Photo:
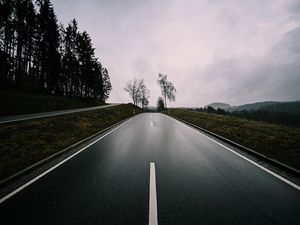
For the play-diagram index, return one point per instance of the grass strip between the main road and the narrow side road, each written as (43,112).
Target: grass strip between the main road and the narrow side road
(27,142)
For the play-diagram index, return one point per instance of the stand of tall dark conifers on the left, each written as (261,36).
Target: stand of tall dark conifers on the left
(38,56)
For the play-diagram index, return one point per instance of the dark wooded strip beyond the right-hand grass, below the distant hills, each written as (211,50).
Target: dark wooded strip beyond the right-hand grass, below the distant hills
(278,117)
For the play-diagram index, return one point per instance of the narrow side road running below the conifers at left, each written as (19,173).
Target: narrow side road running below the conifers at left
(10,119)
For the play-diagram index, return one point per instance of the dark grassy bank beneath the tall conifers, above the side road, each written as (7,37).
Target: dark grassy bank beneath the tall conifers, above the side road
(14,103)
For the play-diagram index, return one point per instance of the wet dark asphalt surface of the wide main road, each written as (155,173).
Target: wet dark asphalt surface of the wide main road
(197,182)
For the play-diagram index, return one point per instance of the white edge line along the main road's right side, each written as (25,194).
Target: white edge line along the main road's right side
(249,160)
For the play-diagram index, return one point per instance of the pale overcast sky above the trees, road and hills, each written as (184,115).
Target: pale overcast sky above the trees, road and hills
(229,51)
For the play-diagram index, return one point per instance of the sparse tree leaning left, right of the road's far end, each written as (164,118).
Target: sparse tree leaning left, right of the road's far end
(167,88)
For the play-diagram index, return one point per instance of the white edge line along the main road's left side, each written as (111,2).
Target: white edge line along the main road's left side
(57,165)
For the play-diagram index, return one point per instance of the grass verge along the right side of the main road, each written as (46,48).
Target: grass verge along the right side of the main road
(281,143)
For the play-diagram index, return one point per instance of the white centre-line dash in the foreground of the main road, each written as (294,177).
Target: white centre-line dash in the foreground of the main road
(152,197)
